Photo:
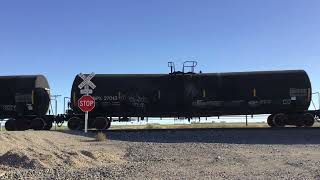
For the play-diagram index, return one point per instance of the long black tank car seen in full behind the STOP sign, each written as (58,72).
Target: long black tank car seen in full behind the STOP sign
(286,95)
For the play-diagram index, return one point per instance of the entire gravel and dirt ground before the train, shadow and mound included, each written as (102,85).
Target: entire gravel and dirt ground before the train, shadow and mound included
(187,154)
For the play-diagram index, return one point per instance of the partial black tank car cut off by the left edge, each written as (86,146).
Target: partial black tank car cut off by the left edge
(24,102)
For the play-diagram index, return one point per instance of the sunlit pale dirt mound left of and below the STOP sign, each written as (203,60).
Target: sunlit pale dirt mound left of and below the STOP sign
(31,150)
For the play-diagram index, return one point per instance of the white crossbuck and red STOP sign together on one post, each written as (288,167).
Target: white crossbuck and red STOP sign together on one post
(86,103)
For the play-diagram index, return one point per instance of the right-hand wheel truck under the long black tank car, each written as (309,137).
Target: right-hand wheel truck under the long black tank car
(304,119)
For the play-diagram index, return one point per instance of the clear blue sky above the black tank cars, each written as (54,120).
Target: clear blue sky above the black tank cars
(62,38)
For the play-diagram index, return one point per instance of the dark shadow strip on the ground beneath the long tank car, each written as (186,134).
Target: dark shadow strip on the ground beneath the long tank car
(221,135)
